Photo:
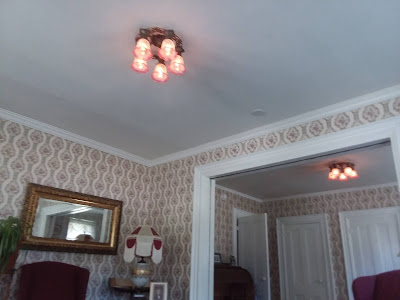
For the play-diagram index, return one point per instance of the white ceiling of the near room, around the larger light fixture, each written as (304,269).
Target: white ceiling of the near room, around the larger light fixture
(67,63)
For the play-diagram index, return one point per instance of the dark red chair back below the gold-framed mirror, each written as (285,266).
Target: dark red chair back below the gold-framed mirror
(53,280)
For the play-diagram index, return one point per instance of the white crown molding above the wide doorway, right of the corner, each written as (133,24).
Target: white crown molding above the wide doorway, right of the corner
(343,106)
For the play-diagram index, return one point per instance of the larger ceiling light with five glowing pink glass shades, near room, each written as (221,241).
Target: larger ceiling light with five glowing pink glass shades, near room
(160,44)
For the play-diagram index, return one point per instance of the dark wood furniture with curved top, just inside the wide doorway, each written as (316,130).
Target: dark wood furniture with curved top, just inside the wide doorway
(232,283)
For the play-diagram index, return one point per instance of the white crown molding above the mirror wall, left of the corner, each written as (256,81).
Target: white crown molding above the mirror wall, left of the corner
(20,119)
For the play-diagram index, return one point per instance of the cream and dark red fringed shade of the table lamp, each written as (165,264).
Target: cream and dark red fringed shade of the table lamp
(144,241)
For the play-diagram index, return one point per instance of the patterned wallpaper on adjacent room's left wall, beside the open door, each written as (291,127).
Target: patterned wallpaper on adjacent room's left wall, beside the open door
(223,219)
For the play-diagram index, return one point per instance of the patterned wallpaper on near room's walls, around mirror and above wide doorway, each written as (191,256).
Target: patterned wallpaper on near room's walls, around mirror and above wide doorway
(159,196)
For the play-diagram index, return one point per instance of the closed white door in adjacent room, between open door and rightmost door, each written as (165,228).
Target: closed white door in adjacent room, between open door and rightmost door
(304,258)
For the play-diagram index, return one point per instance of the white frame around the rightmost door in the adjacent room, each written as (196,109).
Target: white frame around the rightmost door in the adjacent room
(343,217)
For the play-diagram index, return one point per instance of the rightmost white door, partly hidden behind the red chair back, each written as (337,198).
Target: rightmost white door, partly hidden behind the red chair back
(371,242)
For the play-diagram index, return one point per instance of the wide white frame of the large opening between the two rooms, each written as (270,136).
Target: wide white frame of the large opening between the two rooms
(202,254)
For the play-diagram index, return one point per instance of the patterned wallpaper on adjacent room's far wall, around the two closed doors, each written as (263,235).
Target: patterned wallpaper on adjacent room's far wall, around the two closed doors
(331,204)
